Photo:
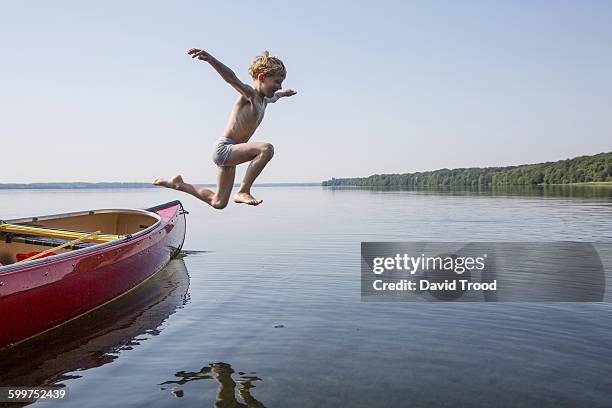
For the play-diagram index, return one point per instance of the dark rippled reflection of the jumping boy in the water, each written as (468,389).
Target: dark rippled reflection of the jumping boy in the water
(226,389)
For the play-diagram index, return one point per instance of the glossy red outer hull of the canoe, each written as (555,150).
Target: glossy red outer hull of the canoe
(36,298)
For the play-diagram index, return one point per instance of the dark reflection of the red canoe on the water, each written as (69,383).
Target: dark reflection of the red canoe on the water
(100,336)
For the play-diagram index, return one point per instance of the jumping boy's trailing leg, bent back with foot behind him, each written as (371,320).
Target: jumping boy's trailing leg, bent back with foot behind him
(225,182)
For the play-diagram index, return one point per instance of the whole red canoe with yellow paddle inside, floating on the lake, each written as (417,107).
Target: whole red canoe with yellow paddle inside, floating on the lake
(84,270)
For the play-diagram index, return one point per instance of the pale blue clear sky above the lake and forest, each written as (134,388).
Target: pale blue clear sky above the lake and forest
(103,91)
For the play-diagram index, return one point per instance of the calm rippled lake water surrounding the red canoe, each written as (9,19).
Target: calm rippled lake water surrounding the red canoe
(264,309)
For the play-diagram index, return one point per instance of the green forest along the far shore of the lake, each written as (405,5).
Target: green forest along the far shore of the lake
(582,169)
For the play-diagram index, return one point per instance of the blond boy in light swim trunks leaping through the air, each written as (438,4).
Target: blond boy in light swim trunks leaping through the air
(234,147)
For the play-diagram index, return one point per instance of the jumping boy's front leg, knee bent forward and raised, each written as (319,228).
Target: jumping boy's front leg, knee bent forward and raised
(259,154)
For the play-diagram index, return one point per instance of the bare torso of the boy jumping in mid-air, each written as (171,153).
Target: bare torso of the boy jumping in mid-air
(245,118)
